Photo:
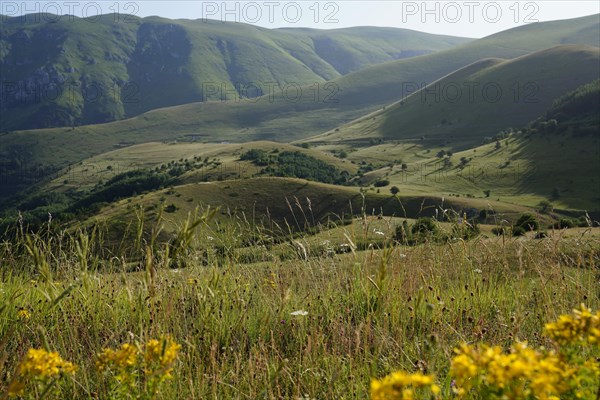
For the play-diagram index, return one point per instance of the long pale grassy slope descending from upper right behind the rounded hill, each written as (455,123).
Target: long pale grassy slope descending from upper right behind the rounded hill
(281,119)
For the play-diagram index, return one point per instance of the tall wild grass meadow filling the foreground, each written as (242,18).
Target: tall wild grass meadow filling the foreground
(308,325)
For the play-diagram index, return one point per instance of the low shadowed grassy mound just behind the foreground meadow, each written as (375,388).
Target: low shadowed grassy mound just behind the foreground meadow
(273,201)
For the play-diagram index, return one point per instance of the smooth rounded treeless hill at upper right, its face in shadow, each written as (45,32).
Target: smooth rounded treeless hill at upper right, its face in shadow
(481,99)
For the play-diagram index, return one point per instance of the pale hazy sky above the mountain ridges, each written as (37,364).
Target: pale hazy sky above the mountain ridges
(457,18)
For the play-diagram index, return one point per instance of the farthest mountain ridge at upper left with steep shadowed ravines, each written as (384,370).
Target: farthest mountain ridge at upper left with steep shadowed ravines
(74,71)
